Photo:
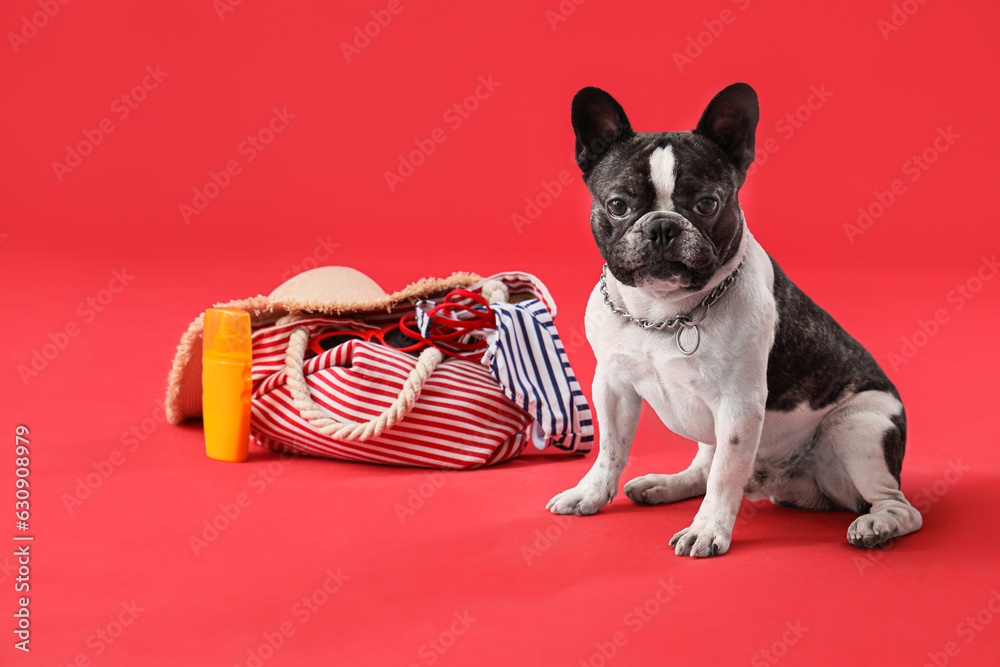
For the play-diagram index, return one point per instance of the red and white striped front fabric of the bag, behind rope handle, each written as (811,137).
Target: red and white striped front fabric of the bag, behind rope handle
(461,420)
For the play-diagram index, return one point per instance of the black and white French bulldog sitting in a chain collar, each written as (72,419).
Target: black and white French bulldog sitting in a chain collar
(694,317)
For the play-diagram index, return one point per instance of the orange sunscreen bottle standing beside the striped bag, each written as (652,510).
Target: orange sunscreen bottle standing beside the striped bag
(225,383)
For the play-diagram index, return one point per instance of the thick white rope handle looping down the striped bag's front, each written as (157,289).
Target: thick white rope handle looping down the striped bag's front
(360,431)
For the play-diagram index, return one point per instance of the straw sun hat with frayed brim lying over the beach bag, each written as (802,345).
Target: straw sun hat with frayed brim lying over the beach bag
(328,290)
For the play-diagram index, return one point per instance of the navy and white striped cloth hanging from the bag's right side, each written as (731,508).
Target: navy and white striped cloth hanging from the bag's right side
(528,359)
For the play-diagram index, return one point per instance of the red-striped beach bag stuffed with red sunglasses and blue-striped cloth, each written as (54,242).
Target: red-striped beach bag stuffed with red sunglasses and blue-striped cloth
(500,382)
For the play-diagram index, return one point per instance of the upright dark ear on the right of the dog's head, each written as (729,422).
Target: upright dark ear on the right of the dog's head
(730,120)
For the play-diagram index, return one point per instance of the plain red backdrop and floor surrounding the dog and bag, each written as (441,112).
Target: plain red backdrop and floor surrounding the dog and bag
(318,192)
